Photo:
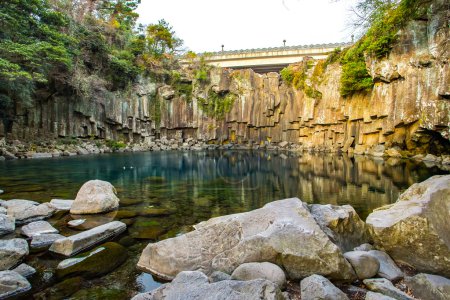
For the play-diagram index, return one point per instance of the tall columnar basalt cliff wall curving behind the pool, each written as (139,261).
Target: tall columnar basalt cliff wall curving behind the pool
(409,106)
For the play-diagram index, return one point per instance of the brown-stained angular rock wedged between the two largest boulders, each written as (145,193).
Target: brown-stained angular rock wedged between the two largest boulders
(342,225)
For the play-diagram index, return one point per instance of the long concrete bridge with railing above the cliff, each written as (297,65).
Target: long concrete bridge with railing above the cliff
(270,59)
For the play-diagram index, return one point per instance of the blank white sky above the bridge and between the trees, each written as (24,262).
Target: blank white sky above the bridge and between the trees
(205,25)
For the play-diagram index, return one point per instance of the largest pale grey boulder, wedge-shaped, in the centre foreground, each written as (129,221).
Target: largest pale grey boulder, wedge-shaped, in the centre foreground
(282,232)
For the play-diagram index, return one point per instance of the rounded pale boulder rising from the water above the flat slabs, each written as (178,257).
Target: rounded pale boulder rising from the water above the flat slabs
(95,196)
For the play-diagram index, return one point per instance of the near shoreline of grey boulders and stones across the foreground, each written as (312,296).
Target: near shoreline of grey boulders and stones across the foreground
(284,250)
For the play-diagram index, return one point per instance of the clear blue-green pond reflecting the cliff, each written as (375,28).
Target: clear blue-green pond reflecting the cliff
(163,193)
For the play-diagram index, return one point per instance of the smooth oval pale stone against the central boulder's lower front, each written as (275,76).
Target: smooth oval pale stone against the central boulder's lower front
(263,270)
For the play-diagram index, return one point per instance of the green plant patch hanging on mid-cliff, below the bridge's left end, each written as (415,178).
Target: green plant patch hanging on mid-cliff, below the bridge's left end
(218,104)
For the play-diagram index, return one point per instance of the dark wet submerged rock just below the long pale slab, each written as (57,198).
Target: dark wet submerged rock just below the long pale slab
(94,263)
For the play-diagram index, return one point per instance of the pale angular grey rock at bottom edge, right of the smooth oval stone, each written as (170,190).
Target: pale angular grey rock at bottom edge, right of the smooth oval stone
(318,287)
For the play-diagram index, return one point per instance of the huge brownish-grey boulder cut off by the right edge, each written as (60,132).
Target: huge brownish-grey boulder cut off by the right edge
(415,229)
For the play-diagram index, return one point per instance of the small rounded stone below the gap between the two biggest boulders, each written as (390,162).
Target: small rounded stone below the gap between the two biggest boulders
(364,264)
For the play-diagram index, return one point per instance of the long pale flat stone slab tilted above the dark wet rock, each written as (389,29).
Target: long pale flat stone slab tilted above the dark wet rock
(76,243)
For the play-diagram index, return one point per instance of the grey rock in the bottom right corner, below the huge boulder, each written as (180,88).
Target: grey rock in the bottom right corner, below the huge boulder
(427,286)
